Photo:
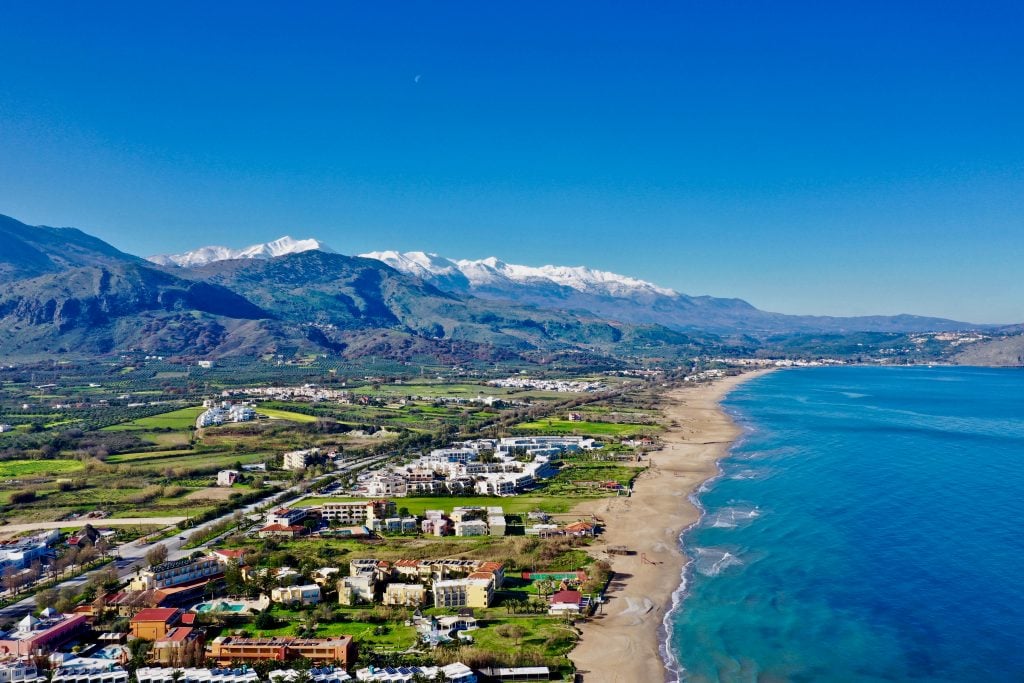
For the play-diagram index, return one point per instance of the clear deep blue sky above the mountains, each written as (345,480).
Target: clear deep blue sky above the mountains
(819,158)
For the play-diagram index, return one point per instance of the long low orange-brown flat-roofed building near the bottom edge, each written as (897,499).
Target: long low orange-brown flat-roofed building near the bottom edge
(229,650)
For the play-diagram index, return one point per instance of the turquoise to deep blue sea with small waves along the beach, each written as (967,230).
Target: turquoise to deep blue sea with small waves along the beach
(868,527)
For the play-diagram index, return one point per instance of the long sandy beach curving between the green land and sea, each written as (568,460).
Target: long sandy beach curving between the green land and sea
(626,642)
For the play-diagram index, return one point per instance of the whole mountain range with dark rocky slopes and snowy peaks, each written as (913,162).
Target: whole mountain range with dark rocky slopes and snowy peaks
(63,291)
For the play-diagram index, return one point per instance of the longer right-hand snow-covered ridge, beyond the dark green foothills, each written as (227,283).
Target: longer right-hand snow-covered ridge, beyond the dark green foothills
(494,275)
